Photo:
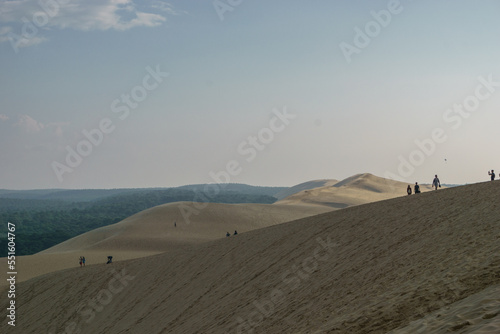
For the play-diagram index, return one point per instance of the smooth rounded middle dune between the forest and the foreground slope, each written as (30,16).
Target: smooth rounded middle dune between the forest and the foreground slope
(152,232)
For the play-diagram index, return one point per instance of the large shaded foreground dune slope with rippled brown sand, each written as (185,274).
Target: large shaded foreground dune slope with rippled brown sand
(366,269)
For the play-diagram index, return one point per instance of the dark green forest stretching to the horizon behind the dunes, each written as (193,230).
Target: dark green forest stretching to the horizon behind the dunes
(43,223)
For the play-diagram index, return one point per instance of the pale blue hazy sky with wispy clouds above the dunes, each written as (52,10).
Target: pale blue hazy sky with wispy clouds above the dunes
(125,94)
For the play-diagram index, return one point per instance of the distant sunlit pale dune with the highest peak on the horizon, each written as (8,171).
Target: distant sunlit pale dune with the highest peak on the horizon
(355,190)
